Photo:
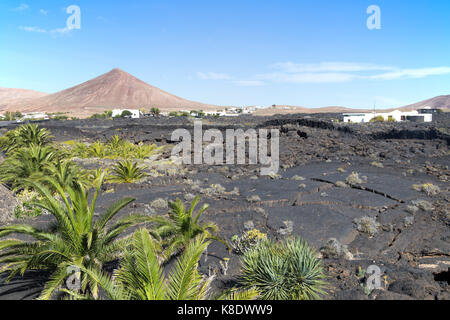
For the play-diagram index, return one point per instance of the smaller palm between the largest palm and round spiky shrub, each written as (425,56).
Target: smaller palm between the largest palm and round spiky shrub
(181,226)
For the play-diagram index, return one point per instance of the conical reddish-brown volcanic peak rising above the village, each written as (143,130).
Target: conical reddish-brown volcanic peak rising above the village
(115,89)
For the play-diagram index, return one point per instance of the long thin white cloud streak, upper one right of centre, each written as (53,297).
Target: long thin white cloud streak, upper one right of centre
(290,67)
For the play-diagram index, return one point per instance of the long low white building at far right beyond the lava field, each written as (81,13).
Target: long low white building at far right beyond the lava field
(396,115)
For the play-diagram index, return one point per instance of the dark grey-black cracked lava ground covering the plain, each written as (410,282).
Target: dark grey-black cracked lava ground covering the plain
(411,242)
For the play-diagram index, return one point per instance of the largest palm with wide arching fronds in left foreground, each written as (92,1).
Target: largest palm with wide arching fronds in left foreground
(75,240)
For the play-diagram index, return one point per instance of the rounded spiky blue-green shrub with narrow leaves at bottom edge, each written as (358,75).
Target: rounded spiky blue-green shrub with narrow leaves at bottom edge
(287,270)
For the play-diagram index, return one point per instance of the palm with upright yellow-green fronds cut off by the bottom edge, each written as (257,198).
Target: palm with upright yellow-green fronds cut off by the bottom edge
(141,276)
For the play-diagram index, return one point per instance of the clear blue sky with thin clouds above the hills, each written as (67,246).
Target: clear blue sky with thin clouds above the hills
(235,52)
